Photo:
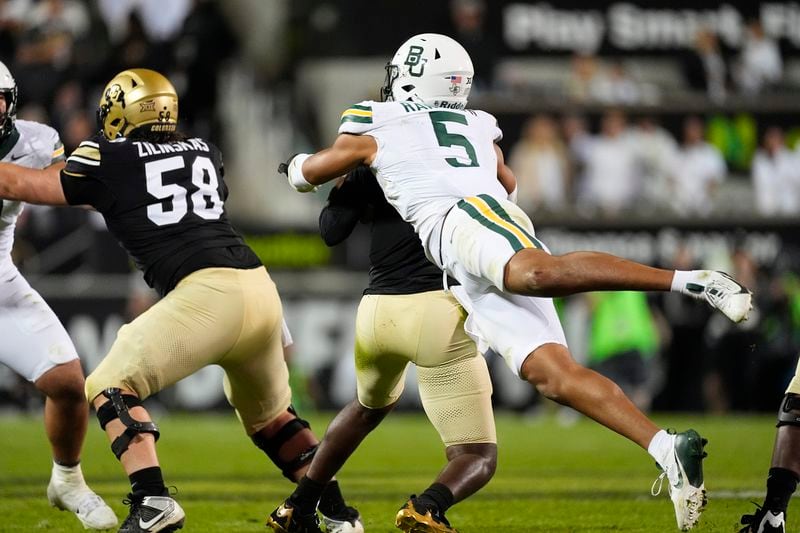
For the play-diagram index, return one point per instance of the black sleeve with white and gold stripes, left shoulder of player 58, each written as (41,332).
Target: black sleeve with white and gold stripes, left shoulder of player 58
(80,178)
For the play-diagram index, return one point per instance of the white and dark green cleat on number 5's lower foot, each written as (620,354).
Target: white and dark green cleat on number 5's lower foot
(683,468)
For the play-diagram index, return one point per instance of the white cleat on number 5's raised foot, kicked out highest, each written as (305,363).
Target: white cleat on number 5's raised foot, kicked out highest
(722,292)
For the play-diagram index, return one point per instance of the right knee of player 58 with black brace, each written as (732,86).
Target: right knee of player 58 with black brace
(298,455)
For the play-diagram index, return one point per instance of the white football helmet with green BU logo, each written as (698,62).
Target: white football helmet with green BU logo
(429,68)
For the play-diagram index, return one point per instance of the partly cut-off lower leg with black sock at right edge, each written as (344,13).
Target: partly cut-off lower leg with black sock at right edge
(784,472)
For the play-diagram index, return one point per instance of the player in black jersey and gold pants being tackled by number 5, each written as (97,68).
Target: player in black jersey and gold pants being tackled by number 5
(404,317)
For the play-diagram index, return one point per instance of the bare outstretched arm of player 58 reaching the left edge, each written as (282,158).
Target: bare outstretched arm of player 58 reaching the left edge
(32,185)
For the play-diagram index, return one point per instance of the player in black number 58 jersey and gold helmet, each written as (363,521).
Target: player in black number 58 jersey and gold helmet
(162,196)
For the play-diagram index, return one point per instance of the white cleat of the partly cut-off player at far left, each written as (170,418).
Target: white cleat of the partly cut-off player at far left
(75,496)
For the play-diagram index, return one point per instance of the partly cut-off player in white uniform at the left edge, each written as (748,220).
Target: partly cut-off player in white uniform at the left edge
(34,343)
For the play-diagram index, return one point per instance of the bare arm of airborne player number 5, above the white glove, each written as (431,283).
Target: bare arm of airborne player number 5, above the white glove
(347,152)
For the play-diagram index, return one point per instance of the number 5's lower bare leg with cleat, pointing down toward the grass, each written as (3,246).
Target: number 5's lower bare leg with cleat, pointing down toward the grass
(556,375)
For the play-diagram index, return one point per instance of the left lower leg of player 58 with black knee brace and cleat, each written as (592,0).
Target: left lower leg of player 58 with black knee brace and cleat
(133,438)
